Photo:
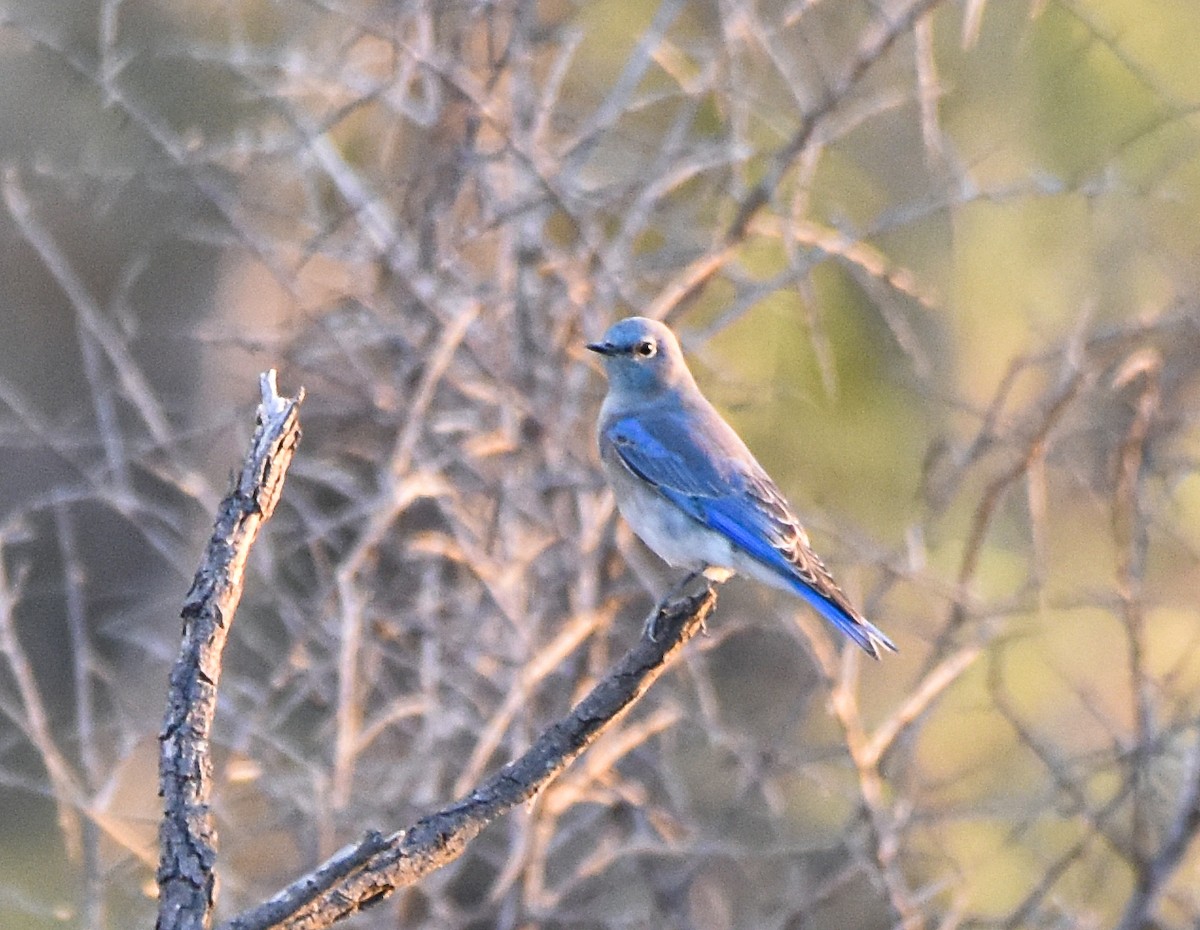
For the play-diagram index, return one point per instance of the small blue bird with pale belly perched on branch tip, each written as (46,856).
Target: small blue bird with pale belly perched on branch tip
(689,487)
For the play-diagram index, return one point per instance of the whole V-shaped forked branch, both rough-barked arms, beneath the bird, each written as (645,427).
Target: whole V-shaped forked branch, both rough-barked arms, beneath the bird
(367,872)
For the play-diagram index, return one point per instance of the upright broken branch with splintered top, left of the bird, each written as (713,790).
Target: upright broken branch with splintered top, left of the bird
(188,837)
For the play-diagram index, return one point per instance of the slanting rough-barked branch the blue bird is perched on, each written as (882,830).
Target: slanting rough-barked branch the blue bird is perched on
(367,873)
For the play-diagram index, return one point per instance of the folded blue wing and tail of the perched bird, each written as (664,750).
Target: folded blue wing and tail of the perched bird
(705,470)
